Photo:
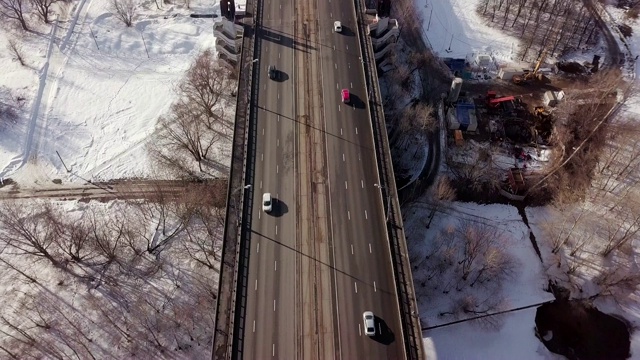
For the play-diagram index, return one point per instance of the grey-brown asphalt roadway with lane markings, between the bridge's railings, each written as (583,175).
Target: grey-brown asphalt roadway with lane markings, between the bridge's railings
(321,258)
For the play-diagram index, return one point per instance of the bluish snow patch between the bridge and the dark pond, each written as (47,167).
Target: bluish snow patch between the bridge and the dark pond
(509,335)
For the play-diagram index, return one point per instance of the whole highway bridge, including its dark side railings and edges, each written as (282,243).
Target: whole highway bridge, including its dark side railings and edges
(296,281)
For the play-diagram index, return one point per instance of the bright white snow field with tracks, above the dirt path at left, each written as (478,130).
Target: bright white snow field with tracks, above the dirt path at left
(94,99)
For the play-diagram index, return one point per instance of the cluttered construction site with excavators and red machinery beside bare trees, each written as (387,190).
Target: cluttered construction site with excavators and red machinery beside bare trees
(501,123)
